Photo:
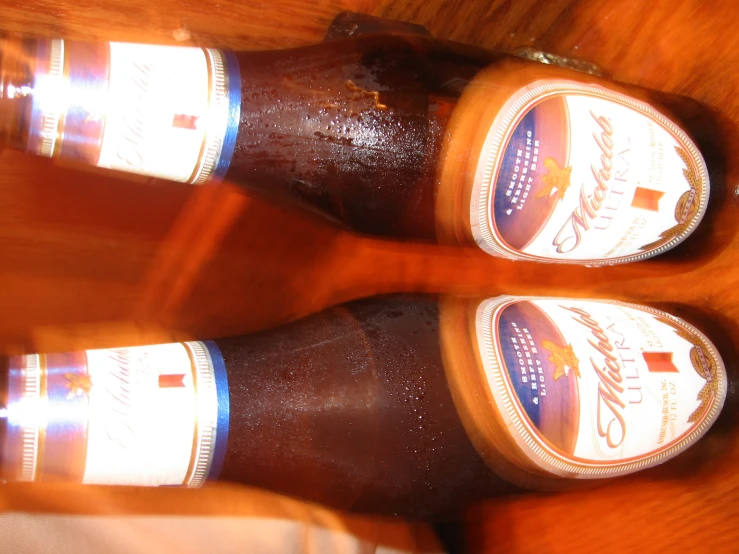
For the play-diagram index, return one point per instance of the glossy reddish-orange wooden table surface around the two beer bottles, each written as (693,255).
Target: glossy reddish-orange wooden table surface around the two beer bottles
(89,260)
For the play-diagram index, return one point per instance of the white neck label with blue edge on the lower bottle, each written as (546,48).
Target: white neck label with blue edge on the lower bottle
(150,416)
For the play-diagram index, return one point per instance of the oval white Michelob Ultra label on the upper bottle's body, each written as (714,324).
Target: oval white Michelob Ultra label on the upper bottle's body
(573,173)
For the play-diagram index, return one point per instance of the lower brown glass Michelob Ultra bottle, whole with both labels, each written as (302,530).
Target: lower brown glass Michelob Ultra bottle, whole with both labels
(404,405)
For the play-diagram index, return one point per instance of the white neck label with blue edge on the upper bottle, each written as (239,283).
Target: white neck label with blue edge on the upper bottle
(164,111)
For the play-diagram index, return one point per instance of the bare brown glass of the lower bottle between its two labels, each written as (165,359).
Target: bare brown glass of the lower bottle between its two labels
(360,414)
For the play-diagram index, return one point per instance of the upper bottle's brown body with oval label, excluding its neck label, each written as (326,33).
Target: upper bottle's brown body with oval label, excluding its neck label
(408,136)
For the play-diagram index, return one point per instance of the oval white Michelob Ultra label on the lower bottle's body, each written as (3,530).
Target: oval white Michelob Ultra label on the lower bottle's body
(594,389)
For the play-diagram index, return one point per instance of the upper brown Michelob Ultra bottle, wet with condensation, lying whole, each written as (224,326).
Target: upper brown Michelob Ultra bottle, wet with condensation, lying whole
(389,131)
